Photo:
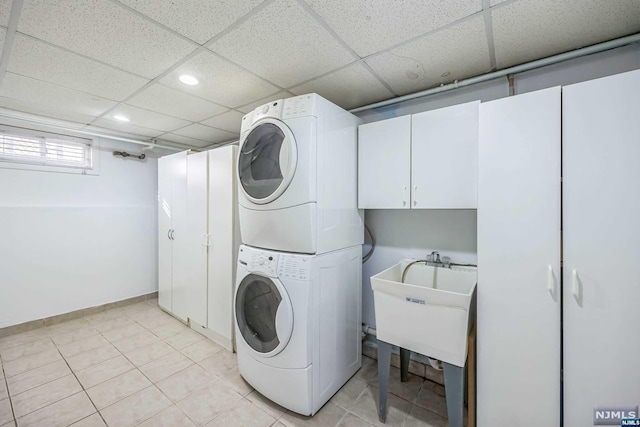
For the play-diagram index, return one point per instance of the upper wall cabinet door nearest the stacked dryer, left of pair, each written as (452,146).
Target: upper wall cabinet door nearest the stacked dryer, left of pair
(384,174)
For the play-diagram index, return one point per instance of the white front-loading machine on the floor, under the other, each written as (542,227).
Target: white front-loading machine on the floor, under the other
(298,322)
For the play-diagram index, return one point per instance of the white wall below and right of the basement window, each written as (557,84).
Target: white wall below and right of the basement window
(70,241)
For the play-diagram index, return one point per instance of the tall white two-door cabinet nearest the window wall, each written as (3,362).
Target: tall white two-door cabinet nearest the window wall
(172,220)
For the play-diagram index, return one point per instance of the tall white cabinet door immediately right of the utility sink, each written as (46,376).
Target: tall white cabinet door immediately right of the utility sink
(518,311)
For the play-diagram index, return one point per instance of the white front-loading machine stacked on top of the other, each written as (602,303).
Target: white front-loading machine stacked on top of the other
(297,177)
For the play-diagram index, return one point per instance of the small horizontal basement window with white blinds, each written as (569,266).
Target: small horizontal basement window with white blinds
(31,149)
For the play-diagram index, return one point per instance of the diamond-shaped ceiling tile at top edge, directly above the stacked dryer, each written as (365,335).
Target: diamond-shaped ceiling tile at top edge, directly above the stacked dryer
(283,44)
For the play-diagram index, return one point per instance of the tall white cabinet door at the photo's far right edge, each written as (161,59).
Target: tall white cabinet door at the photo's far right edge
(601,207)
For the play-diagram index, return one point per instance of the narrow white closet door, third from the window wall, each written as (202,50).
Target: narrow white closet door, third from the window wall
(197,236)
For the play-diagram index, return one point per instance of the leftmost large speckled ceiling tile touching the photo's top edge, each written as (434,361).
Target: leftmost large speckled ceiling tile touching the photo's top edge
(105,31)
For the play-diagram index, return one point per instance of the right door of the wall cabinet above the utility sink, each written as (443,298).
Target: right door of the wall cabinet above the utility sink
(444,158)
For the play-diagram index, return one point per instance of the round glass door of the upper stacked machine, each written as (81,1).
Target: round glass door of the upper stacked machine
(267,161)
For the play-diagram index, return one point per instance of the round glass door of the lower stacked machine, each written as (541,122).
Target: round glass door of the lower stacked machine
(264,314)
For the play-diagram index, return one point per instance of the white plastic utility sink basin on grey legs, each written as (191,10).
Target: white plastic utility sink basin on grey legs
(430,312)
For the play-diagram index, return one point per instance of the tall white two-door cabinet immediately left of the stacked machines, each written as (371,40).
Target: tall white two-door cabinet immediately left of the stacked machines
(213,240)
